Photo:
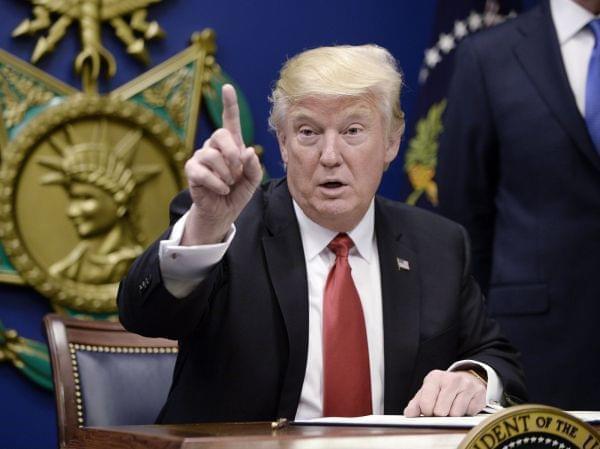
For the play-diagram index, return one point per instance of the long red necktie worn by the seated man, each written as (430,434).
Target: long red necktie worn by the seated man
(346,375)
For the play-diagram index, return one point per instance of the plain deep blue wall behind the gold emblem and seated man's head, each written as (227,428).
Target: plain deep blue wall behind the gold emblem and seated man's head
(253,38)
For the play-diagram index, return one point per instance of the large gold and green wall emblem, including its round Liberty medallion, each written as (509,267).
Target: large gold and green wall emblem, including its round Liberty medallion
(86,179)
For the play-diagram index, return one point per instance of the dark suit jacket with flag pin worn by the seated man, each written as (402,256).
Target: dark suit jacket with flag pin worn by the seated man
(243,333)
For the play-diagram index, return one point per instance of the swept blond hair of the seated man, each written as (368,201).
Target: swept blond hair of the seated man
(366,71)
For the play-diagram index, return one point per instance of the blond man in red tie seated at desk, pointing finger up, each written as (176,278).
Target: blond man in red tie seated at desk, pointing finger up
(309,296)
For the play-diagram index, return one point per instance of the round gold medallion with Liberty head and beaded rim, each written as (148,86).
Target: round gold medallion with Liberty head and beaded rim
(88,181)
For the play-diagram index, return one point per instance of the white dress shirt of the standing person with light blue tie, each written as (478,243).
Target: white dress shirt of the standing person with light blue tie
(576,43)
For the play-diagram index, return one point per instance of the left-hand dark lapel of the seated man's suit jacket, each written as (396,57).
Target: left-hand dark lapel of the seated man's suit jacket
(285,262)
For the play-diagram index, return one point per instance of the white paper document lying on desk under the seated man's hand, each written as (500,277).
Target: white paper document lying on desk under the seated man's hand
(464,422)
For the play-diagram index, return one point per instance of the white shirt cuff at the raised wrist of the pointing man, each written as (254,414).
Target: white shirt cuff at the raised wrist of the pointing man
(184,267)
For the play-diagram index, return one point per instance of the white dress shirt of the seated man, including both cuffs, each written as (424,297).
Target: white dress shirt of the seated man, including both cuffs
(184,267)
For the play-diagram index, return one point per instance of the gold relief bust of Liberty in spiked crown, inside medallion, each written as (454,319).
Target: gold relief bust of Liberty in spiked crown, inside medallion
(100,182)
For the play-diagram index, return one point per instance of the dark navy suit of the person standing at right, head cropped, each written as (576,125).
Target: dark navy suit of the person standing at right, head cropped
(518,169)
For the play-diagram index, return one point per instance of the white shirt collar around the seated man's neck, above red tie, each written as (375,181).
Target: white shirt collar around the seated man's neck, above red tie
(315,237)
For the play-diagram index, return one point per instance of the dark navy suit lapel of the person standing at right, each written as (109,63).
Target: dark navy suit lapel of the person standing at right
(539,54)
